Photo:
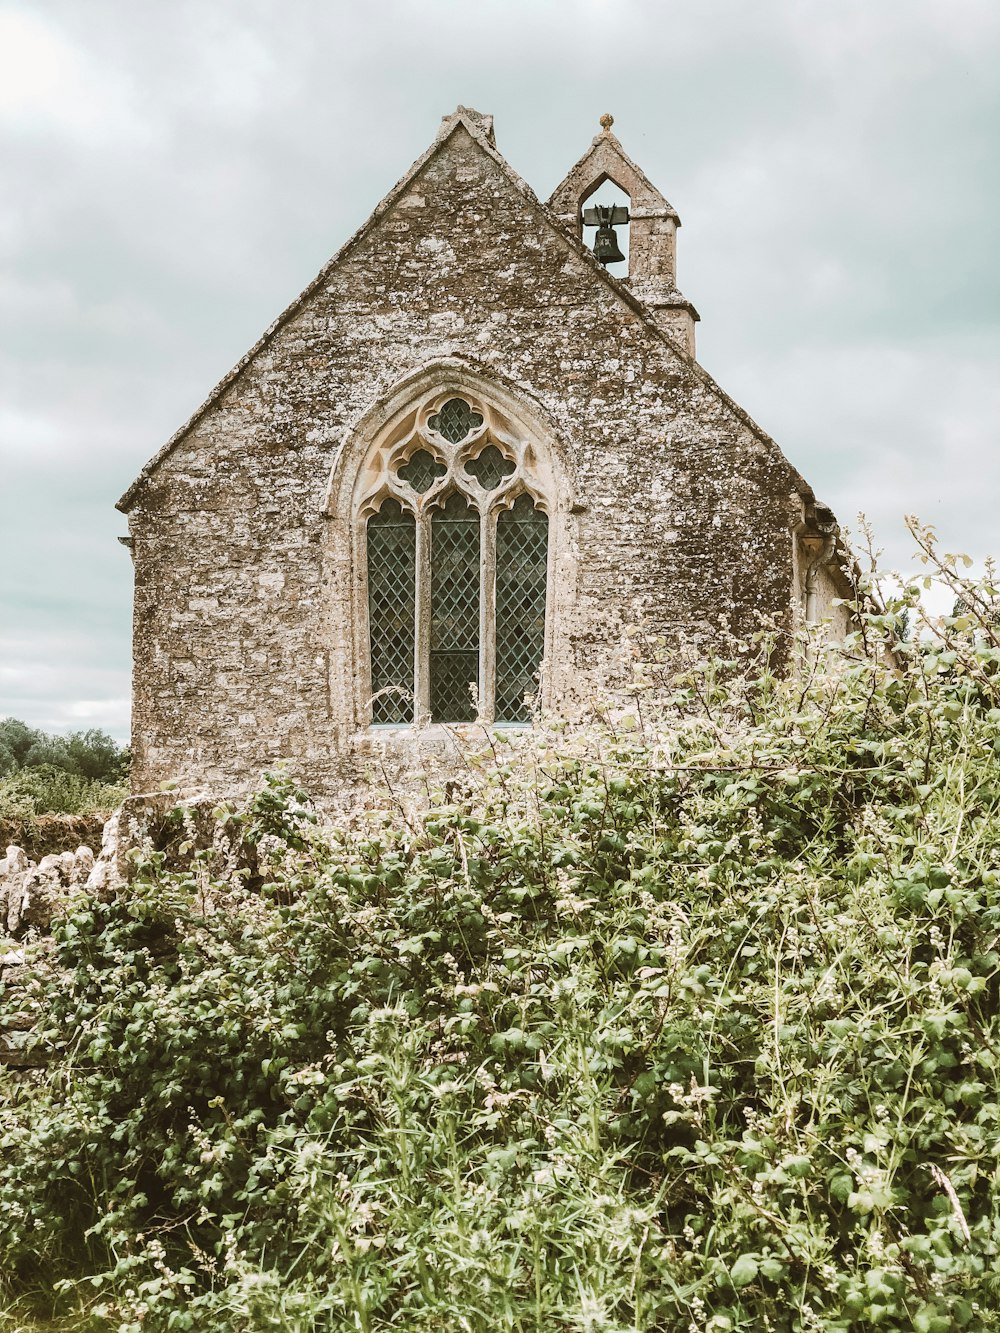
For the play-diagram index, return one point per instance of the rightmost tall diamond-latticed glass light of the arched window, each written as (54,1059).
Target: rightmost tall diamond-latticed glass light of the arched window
(522,561)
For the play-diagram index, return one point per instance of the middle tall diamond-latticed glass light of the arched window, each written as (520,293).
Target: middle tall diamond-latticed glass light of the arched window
(454,611)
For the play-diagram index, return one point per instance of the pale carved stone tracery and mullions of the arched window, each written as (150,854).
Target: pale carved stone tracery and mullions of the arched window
(379,481)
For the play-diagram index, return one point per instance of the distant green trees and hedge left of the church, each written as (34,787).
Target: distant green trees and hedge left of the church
(81,774)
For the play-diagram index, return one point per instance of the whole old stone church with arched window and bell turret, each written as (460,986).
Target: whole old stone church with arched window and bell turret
(449,479)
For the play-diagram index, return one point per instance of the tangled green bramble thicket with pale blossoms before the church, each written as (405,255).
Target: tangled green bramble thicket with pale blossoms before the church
(686,1019)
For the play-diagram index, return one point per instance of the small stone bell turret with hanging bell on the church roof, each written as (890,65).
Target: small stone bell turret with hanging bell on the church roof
(653,230)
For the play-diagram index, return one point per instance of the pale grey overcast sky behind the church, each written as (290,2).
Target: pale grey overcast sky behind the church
(174,173)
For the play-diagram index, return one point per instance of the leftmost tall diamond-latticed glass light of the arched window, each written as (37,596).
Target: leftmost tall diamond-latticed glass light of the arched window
(391,598)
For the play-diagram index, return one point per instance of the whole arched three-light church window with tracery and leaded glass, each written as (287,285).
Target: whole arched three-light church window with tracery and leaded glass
(457,555)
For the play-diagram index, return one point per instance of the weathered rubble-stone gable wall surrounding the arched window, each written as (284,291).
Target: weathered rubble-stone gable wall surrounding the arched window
(678,513)
